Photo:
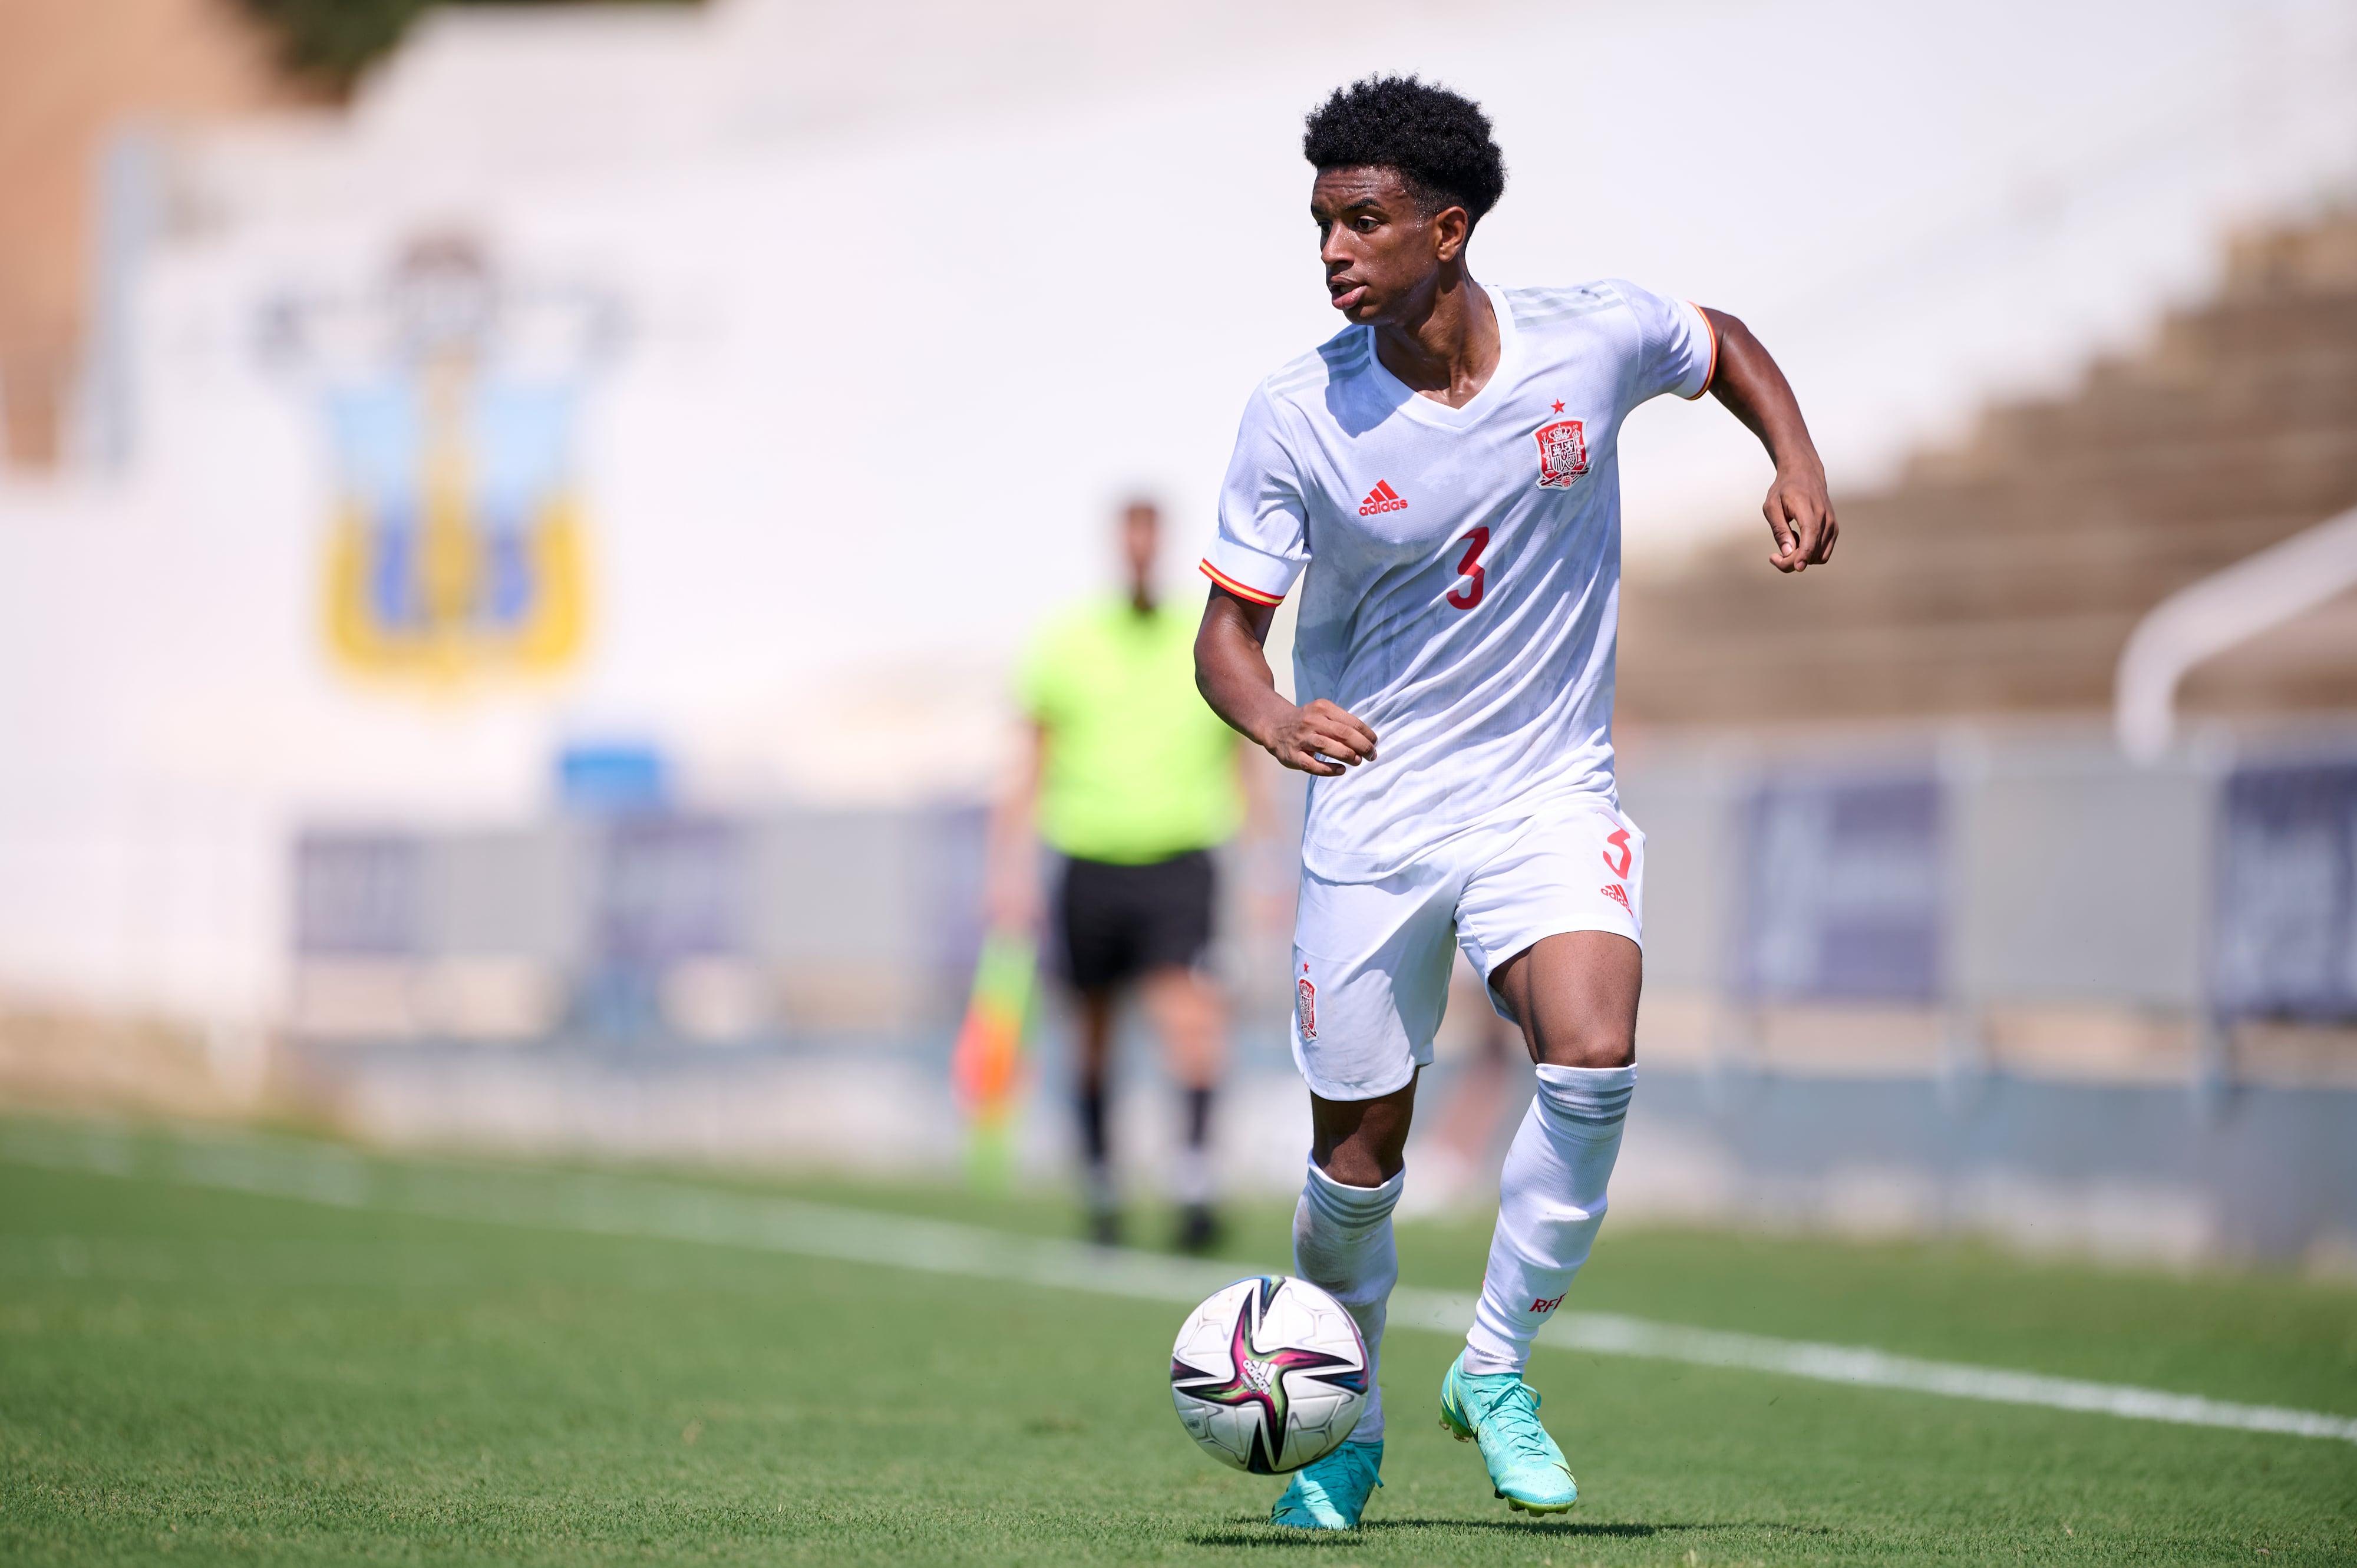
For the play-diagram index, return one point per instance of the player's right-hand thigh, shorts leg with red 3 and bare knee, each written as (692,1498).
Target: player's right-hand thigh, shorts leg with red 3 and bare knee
(1554,923)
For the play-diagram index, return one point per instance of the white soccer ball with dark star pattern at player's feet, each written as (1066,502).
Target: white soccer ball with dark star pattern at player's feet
(1269,1376)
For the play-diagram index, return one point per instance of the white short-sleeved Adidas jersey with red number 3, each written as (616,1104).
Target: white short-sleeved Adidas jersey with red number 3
(1460,567)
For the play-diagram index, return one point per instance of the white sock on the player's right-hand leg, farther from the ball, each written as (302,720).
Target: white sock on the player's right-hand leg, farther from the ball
(1550,1206)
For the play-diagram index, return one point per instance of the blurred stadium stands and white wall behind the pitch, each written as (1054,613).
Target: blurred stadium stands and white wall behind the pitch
(800,355)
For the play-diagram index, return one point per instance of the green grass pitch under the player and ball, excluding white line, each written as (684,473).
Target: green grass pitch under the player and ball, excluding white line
(204,1376)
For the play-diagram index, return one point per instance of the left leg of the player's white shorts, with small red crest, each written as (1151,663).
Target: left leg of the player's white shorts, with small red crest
(1371,982)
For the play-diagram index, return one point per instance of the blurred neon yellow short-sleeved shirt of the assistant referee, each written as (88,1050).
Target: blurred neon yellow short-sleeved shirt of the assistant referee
(1137,767)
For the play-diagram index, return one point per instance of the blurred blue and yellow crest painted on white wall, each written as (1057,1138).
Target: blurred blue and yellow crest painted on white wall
(456,546)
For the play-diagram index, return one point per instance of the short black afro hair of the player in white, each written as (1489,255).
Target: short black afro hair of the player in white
(1434,138)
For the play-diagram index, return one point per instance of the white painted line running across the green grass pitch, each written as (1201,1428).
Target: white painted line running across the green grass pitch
(673,1211)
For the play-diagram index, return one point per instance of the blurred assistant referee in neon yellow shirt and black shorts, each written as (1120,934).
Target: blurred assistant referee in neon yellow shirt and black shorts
(1133,782)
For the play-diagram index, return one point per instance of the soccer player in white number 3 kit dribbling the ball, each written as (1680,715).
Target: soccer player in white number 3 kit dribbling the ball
(1444,482)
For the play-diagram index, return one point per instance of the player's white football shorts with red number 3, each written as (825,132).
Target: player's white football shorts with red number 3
(1373,958)
